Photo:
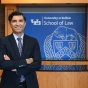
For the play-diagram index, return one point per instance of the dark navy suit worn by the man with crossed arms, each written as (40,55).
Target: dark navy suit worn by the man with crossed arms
(31,49)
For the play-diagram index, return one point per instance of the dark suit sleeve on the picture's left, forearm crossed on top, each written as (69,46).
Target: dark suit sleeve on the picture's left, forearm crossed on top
(9,64)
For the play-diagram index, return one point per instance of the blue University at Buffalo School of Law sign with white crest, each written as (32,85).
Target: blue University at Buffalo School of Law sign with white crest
(61,35)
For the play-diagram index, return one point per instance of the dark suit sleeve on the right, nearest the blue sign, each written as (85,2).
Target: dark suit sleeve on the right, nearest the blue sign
(36,63)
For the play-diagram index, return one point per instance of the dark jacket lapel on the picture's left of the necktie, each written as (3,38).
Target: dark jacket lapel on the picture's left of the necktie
(14,45)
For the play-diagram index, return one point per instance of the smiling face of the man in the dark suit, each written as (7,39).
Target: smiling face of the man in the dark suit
(17,24)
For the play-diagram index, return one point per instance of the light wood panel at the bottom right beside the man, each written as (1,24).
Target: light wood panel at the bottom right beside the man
(63,79)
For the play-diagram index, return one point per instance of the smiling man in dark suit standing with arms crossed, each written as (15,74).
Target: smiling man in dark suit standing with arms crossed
(20,56)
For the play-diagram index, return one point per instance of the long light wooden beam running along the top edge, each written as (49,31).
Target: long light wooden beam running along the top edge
(41,1)
